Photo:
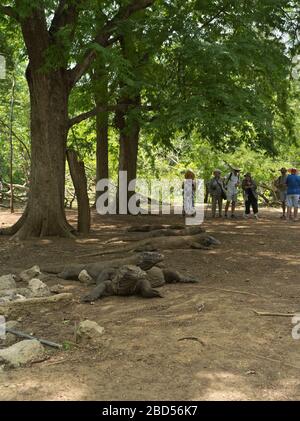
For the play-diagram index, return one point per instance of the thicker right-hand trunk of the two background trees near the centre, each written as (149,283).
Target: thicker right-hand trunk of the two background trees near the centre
(127,122)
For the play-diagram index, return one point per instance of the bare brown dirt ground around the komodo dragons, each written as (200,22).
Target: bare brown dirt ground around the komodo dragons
(238,355)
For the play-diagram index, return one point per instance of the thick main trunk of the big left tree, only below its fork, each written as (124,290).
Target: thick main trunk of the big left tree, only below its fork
(45,214)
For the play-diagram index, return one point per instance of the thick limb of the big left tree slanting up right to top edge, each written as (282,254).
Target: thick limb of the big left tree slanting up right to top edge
(104,39)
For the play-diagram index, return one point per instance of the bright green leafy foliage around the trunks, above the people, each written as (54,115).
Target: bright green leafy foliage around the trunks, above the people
(213,76)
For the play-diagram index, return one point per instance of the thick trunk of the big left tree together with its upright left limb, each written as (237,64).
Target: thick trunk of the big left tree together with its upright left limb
(49,88)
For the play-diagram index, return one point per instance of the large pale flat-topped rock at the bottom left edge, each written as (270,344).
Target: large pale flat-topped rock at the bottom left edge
(22,353)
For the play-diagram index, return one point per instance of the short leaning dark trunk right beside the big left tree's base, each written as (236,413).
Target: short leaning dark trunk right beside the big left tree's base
(78,175)
